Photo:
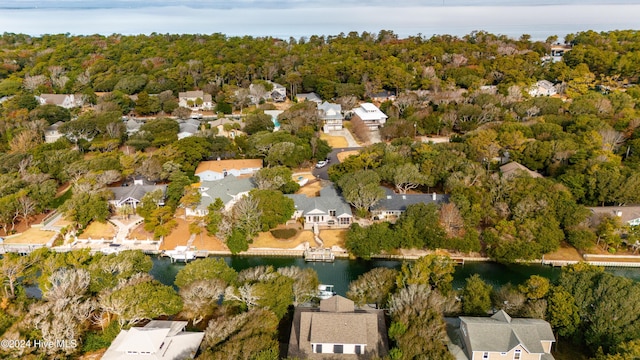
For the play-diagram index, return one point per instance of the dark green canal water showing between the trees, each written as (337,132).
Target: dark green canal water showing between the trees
(341,272)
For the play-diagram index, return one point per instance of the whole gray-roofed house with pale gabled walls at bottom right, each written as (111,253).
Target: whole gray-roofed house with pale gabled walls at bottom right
(500,337)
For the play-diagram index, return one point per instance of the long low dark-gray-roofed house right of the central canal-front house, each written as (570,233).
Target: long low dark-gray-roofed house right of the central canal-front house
(393,204)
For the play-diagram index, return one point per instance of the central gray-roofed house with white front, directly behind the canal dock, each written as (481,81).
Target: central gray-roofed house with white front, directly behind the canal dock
(327,210)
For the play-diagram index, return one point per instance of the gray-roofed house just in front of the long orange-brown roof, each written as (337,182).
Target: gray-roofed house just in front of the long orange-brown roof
(230,189)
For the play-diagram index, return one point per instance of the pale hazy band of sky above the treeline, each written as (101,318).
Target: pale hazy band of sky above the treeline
(285,18)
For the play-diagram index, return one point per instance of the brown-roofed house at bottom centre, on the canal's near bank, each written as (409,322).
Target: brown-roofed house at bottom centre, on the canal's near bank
(338,330)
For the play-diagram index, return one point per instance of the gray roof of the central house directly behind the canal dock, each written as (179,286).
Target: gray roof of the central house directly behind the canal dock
(328,200)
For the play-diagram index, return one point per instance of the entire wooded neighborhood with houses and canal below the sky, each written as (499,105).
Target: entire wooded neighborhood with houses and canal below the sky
(144,195)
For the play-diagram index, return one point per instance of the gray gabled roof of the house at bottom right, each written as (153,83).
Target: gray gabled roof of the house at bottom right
(501,333)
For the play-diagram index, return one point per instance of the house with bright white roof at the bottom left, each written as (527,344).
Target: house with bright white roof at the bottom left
(159,339)
